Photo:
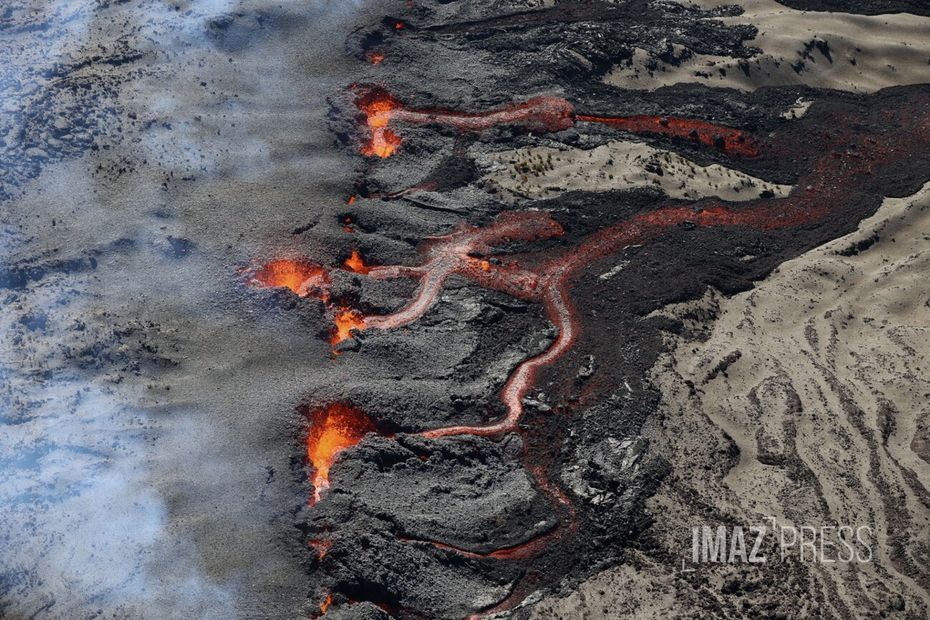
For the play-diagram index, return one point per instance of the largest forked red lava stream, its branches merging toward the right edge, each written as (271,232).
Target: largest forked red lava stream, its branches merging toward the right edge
(834,175)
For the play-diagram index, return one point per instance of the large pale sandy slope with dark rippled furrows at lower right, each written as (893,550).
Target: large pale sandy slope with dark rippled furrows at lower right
(805,399)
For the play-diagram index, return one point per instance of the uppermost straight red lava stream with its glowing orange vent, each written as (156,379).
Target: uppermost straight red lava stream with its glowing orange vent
(544,114)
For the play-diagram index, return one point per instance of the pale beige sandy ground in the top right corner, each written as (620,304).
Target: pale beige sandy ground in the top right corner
(858,53)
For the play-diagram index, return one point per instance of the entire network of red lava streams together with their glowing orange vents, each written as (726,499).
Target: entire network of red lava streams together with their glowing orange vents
(844,167)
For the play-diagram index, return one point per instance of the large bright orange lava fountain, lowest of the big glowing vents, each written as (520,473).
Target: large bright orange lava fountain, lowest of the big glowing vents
(333,428)
